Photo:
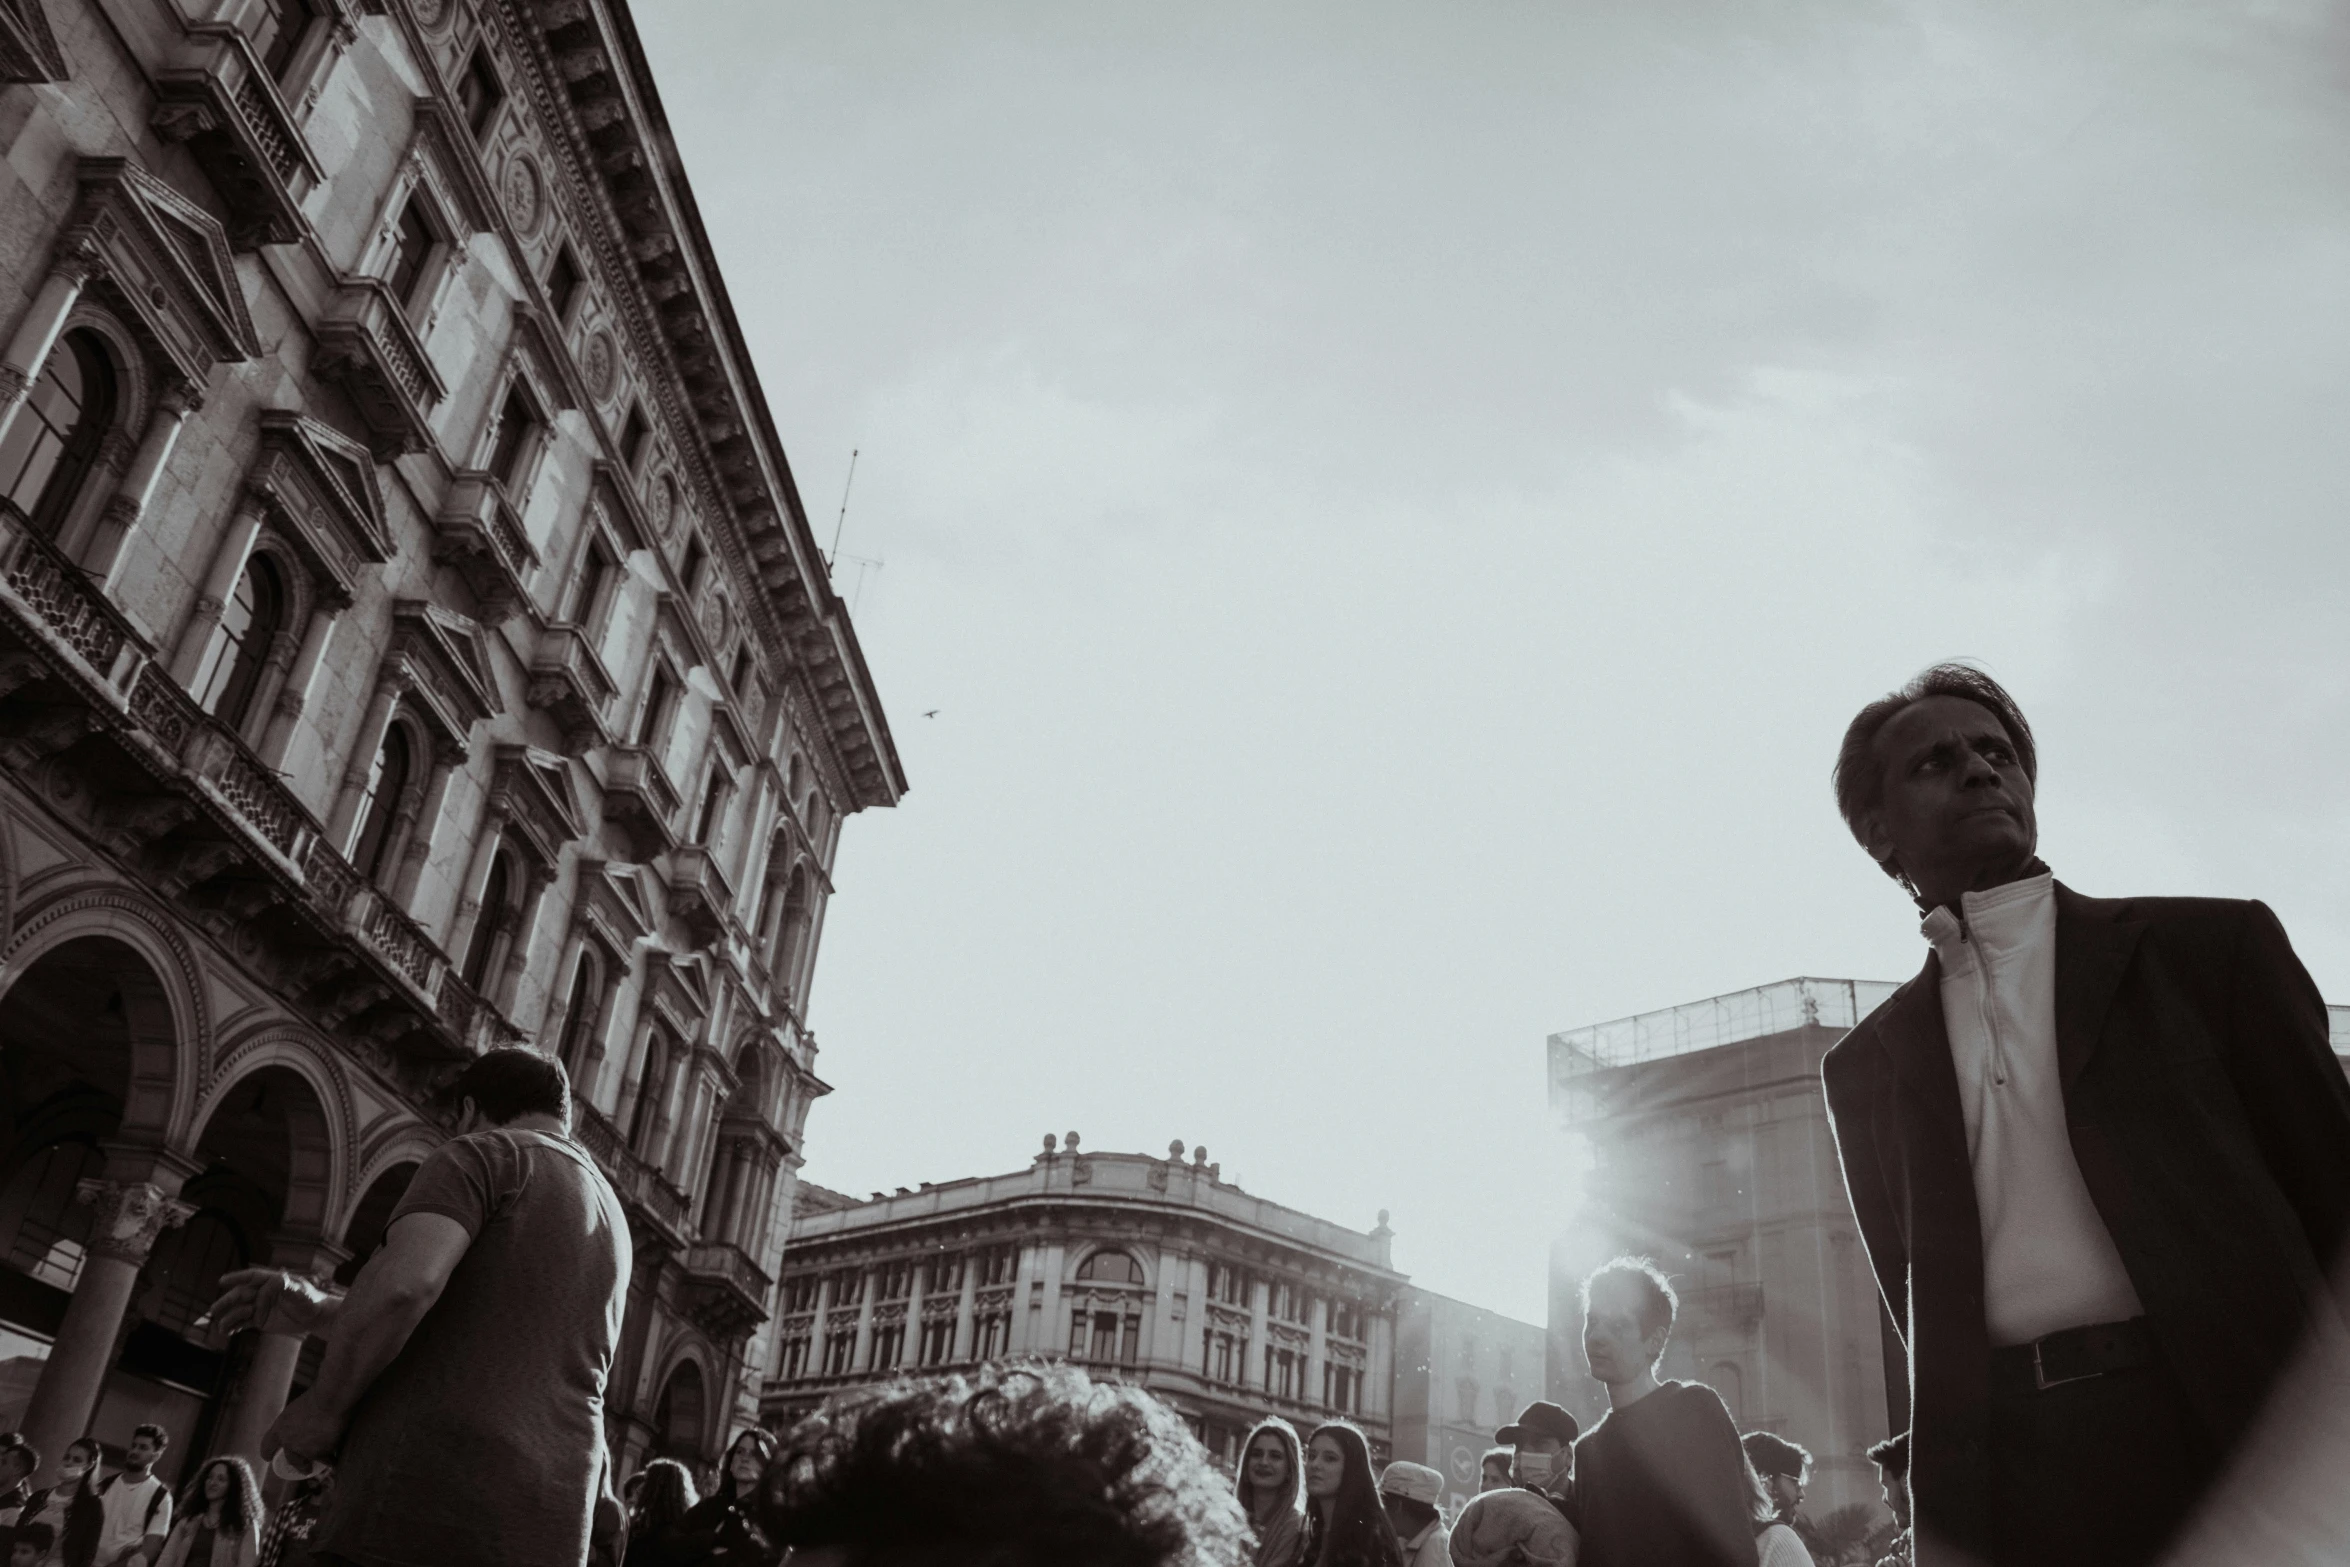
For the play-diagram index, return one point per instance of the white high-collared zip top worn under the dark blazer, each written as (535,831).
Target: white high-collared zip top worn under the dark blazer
(2048,1256)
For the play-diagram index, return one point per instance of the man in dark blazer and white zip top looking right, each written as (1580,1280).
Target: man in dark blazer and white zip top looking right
(2100,1152)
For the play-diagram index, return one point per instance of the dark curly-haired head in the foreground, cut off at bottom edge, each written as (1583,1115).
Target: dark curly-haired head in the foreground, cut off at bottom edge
(1016,1465)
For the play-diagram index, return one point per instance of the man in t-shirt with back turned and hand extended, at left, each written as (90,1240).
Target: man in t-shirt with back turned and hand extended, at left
(464,1373)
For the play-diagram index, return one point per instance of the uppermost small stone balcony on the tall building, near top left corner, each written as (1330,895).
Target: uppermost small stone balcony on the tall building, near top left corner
(220,102)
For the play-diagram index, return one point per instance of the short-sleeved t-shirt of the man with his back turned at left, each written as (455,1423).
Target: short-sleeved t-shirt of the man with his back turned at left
(485,1437)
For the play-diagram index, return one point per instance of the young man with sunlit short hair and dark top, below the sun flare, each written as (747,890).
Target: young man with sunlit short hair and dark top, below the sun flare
(1660,1481)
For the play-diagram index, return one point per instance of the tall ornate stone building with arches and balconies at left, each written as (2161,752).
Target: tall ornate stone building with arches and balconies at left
(410,640)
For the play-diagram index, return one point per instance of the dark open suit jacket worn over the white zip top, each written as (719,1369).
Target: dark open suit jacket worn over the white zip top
(2213,1129)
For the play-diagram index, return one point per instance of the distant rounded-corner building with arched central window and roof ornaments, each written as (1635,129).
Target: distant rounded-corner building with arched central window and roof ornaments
(1148,1270)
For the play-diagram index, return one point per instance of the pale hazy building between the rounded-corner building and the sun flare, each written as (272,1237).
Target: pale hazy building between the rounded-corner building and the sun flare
(1463,1373)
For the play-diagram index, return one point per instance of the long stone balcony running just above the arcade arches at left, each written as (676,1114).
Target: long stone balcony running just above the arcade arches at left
(114,746)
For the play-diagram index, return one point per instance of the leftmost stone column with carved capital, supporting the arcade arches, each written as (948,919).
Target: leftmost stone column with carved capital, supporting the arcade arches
(130,1216)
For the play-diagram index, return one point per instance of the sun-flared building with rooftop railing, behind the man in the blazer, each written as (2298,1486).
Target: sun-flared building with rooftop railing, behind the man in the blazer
(1703,1141)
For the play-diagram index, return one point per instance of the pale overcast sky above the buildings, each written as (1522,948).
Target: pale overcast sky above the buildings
(1392,509)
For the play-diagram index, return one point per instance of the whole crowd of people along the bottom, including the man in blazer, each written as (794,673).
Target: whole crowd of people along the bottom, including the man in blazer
(2100,1157)
